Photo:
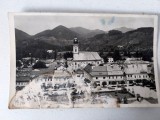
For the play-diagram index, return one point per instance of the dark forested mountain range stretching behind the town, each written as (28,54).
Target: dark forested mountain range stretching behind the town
(61,39)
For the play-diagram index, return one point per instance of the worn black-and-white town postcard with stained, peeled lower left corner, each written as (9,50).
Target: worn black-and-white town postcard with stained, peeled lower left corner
(72,60)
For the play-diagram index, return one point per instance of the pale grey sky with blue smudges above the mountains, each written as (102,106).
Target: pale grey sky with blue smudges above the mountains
(33,24)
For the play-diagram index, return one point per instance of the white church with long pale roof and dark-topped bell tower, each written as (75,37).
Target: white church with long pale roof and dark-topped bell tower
(83,58)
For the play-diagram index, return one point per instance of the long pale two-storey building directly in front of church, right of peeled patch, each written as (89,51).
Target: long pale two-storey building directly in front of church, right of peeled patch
(109,75)
